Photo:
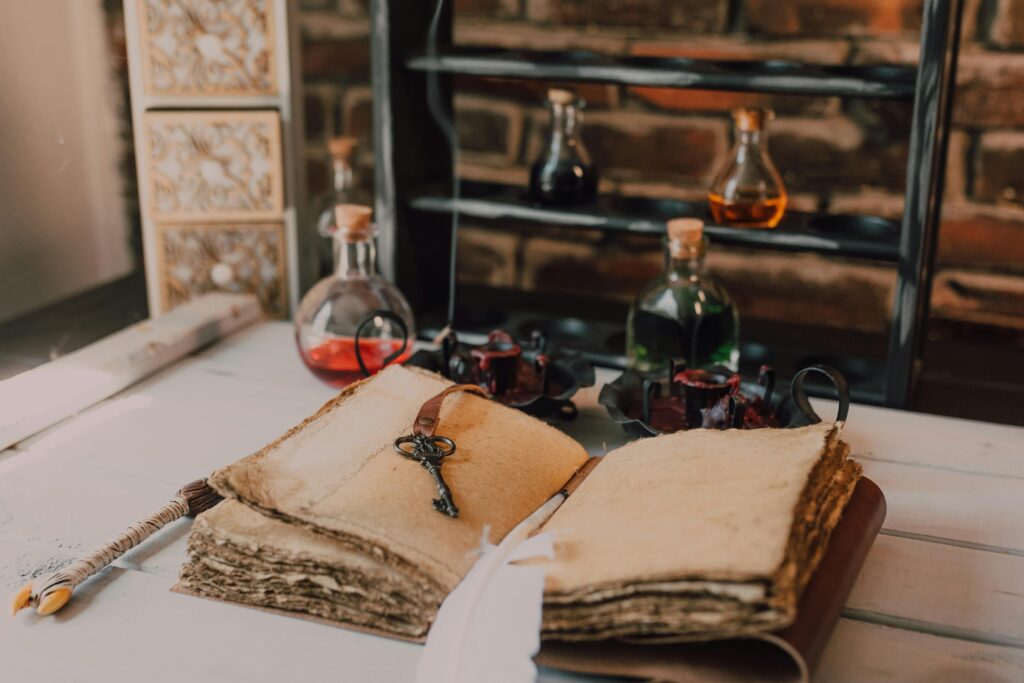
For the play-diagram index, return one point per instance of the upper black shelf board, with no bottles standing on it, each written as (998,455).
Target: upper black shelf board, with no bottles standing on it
(883,81)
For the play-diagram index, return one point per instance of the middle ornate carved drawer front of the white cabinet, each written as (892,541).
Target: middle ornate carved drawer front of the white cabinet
(215,165)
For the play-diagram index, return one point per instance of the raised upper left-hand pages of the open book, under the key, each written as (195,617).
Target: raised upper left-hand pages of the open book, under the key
(337,475)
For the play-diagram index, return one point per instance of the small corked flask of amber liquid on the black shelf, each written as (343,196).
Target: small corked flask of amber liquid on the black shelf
(749,192)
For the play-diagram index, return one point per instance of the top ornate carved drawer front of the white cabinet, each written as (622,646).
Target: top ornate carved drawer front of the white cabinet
(208,48)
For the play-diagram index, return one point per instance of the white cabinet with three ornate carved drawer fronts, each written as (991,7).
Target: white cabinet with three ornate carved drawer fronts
(217,126)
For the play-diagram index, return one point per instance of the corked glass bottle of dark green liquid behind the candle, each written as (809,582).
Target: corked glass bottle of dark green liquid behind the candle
(686,315)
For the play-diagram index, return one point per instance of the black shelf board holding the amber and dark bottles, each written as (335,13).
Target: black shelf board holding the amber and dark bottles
(854,236)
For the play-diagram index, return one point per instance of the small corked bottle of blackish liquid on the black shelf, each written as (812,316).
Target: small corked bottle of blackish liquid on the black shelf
(564,176)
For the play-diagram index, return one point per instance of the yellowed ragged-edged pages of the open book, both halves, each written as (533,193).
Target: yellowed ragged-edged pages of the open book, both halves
(694,536)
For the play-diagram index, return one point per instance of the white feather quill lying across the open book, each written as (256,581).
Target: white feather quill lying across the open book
(489,628)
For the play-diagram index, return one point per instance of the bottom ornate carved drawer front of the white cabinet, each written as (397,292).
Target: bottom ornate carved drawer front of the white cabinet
(197,259)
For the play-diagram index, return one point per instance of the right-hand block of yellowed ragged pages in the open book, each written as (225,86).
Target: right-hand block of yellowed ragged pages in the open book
(699,534)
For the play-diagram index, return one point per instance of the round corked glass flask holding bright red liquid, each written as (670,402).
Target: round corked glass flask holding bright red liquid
(354,323)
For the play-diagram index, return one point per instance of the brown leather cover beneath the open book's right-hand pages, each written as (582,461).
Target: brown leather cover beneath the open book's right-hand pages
(790,655)
